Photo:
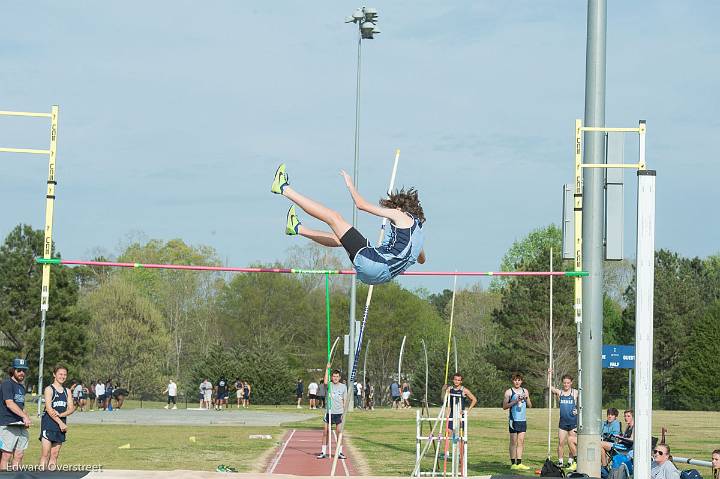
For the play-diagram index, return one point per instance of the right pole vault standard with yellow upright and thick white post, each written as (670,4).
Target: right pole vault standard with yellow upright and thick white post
(588,447)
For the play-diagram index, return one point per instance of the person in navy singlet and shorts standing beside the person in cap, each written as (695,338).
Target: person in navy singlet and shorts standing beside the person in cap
(58,406)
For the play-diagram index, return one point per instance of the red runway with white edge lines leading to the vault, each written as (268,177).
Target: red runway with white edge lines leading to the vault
(297,456)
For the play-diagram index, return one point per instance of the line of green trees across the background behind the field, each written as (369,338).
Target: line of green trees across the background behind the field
(142,327)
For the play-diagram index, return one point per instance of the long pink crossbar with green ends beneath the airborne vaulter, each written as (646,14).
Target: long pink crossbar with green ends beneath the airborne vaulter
(230,269)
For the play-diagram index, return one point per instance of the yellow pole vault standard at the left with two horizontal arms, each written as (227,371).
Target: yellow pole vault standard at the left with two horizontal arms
(49,209)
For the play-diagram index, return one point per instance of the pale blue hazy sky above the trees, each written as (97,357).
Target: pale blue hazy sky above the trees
(174,116)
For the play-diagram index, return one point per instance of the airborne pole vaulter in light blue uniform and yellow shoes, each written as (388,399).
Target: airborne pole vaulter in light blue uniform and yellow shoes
(401,247)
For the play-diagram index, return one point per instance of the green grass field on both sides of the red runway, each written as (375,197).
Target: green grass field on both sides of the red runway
(383,438)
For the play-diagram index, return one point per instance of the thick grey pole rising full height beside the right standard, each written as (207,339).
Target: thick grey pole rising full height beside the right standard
(593,215)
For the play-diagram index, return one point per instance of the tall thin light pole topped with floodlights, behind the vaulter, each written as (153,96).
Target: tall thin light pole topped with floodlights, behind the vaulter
(366,20)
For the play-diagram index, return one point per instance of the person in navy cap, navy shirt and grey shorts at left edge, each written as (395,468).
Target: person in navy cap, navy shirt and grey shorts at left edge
(14,421)
